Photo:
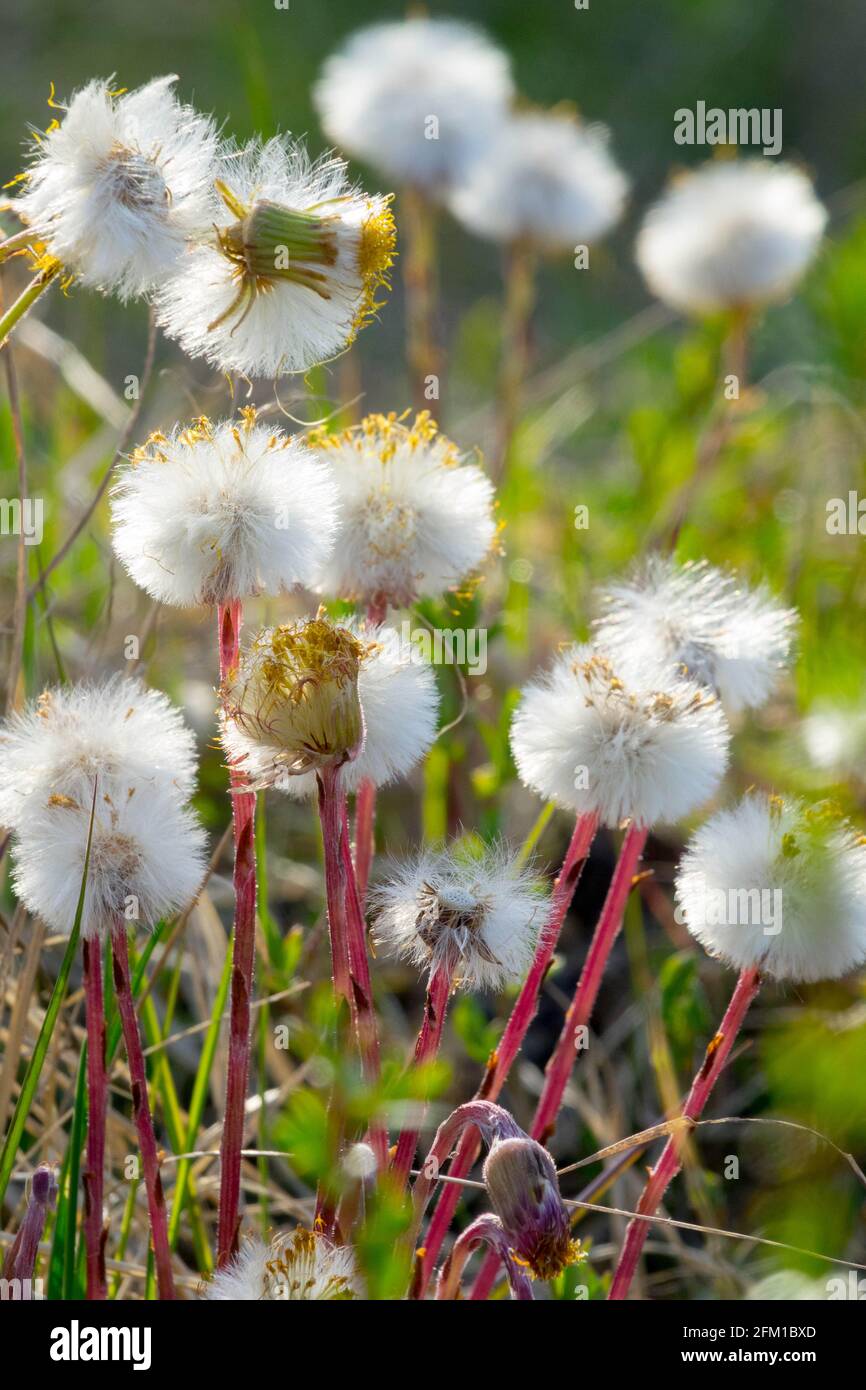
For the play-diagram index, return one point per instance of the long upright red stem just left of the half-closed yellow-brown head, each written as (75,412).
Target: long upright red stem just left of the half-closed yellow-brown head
(244,964)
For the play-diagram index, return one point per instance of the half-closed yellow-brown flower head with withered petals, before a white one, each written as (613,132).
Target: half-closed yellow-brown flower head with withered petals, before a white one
(293,707)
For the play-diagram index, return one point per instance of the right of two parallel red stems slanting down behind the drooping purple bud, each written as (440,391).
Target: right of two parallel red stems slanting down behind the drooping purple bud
(565,1054)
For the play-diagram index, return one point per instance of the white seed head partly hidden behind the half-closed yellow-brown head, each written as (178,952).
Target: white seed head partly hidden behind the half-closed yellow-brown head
(400,704)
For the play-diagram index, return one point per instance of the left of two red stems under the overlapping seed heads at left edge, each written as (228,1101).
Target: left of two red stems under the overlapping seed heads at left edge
(98,1099)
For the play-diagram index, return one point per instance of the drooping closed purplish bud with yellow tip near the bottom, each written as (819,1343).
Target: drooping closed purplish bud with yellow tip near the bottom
(525,1193)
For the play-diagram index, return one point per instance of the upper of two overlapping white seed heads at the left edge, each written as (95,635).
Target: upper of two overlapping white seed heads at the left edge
(115,732)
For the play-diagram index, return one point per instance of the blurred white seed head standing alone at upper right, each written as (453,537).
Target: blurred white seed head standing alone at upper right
(735,234)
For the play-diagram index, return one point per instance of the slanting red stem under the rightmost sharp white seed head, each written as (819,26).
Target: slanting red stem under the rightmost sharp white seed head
(671,1161)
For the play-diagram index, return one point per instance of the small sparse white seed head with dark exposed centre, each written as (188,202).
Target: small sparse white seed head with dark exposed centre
(477,918)
